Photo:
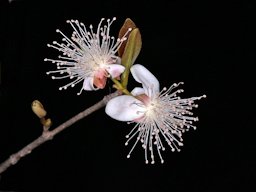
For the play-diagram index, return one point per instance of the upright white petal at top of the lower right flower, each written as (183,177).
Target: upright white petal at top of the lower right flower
(148,80)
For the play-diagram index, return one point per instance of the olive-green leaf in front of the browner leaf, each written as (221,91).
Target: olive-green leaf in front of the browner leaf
(130,54)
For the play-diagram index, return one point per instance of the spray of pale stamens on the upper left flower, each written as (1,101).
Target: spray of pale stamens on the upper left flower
(85,52)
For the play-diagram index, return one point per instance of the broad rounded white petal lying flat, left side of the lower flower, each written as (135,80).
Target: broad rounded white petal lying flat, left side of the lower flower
(125,108)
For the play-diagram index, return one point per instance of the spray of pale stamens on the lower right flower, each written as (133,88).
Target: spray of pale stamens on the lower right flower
(166,116)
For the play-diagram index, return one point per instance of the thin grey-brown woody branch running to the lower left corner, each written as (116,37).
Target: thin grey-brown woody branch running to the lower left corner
(48,135)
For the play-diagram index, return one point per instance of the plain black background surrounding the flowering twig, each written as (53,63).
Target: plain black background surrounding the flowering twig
(210,45)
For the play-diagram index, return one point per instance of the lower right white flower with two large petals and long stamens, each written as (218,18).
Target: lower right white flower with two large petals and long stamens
(158,115)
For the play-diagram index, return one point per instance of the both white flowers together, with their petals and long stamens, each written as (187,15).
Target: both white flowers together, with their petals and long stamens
(90,57)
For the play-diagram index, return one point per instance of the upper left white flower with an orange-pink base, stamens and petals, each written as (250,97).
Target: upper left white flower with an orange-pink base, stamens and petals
(88,56)
